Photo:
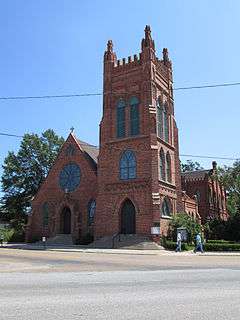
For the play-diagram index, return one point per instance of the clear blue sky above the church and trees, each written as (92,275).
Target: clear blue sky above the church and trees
(57,46)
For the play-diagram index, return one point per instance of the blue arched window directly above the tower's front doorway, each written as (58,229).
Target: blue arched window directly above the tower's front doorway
(128,165)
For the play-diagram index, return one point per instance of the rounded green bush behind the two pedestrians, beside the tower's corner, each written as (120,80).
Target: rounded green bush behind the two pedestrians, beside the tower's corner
(185,221)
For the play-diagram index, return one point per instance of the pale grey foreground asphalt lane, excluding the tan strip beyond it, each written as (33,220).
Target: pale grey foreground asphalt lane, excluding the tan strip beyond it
(175,294)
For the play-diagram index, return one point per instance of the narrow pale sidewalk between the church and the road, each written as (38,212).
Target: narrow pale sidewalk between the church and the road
(82,249)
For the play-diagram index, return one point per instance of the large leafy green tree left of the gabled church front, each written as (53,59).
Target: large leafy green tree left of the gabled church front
(24,172)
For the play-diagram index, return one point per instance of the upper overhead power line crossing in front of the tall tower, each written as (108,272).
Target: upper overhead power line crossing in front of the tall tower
(78,95)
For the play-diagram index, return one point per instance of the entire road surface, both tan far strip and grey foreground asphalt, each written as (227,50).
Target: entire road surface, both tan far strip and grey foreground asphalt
(50,285)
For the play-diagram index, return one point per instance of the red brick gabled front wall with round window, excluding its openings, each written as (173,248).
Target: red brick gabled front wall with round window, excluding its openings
(51,193)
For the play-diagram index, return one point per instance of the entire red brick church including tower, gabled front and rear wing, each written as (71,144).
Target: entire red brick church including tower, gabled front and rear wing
(133,182)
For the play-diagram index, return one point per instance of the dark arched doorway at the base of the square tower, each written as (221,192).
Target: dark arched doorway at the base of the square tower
(128,218)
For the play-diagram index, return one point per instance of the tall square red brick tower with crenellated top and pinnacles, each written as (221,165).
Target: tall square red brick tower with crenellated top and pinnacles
(139,183)
